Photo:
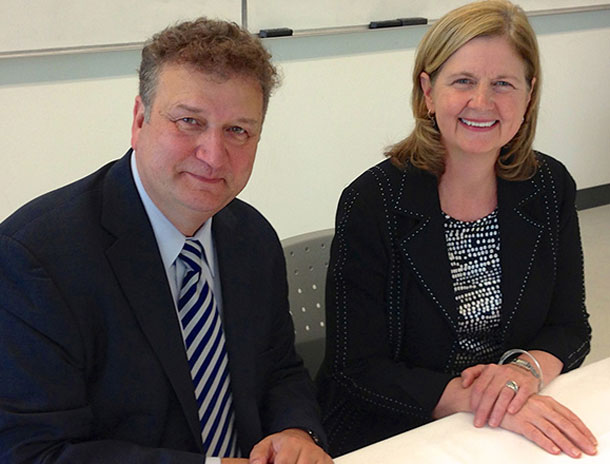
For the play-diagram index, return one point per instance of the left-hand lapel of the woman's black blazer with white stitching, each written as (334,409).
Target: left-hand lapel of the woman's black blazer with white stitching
(421,235)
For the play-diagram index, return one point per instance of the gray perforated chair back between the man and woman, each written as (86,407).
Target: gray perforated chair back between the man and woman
(306,265)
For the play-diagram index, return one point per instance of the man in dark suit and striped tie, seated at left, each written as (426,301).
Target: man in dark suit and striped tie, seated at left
(99,339)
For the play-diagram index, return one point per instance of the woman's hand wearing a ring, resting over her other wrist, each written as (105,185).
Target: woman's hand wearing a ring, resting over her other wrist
(490,397)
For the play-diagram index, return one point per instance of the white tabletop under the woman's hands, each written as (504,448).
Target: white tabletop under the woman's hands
(453,439)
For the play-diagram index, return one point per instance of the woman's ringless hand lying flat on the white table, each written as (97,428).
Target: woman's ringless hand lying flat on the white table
(551,426)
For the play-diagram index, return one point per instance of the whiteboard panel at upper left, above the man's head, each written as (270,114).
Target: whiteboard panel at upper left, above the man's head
(50,24)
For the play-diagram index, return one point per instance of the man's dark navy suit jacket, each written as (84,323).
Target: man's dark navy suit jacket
(93,367)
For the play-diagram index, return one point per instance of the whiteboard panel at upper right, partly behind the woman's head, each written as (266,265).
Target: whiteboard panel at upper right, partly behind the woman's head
(315,14)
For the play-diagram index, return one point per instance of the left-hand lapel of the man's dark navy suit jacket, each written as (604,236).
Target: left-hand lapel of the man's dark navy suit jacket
(135,259)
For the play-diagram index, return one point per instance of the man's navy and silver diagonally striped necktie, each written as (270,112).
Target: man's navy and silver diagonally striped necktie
(207,355)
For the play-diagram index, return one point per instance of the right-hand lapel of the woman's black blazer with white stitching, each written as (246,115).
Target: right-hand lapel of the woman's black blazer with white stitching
(521,220)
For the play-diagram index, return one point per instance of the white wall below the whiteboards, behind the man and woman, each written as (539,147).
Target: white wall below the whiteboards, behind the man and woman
(344,99)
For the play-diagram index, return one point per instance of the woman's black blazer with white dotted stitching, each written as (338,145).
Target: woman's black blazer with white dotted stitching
(391,310)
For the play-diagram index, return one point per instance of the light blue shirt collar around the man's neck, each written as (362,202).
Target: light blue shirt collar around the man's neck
(169,239)
